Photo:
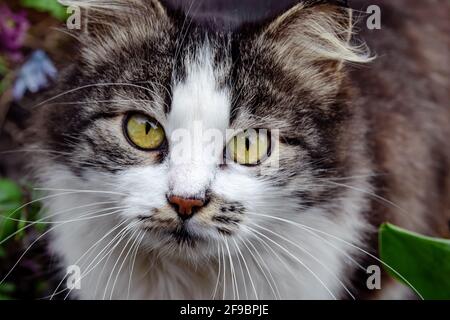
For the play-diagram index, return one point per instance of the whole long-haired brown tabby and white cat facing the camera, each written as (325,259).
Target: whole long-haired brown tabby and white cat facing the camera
(342,142)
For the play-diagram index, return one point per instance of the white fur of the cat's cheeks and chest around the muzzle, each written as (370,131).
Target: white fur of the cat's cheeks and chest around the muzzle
(161,277)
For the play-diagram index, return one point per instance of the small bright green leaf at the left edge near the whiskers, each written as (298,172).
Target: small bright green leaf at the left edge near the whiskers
(10,200)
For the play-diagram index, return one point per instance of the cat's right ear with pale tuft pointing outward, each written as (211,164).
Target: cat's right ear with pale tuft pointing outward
(314,33)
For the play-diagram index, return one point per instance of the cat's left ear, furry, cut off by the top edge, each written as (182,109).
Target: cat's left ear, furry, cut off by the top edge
(112,26)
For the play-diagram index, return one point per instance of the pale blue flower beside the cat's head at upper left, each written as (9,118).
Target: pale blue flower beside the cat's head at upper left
(34,75)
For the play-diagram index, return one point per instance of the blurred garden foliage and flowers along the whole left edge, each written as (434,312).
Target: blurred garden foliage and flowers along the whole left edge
(26,27)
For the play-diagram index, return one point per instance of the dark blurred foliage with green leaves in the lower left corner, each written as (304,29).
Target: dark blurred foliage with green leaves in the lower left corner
(19,230)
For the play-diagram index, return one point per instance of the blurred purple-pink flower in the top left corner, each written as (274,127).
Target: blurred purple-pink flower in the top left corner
(13,27)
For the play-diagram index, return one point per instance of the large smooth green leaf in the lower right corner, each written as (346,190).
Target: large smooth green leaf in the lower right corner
(421,262)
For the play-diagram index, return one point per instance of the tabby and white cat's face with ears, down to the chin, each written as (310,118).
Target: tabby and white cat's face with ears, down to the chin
(203,139)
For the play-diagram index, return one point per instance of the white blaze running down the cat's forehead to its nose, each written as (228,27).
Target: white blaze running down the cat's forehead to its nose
(200,109)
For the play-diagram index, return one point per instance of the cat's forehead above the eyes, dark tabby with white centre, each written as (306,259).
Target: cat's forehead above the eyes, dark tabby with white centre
(193,72)
